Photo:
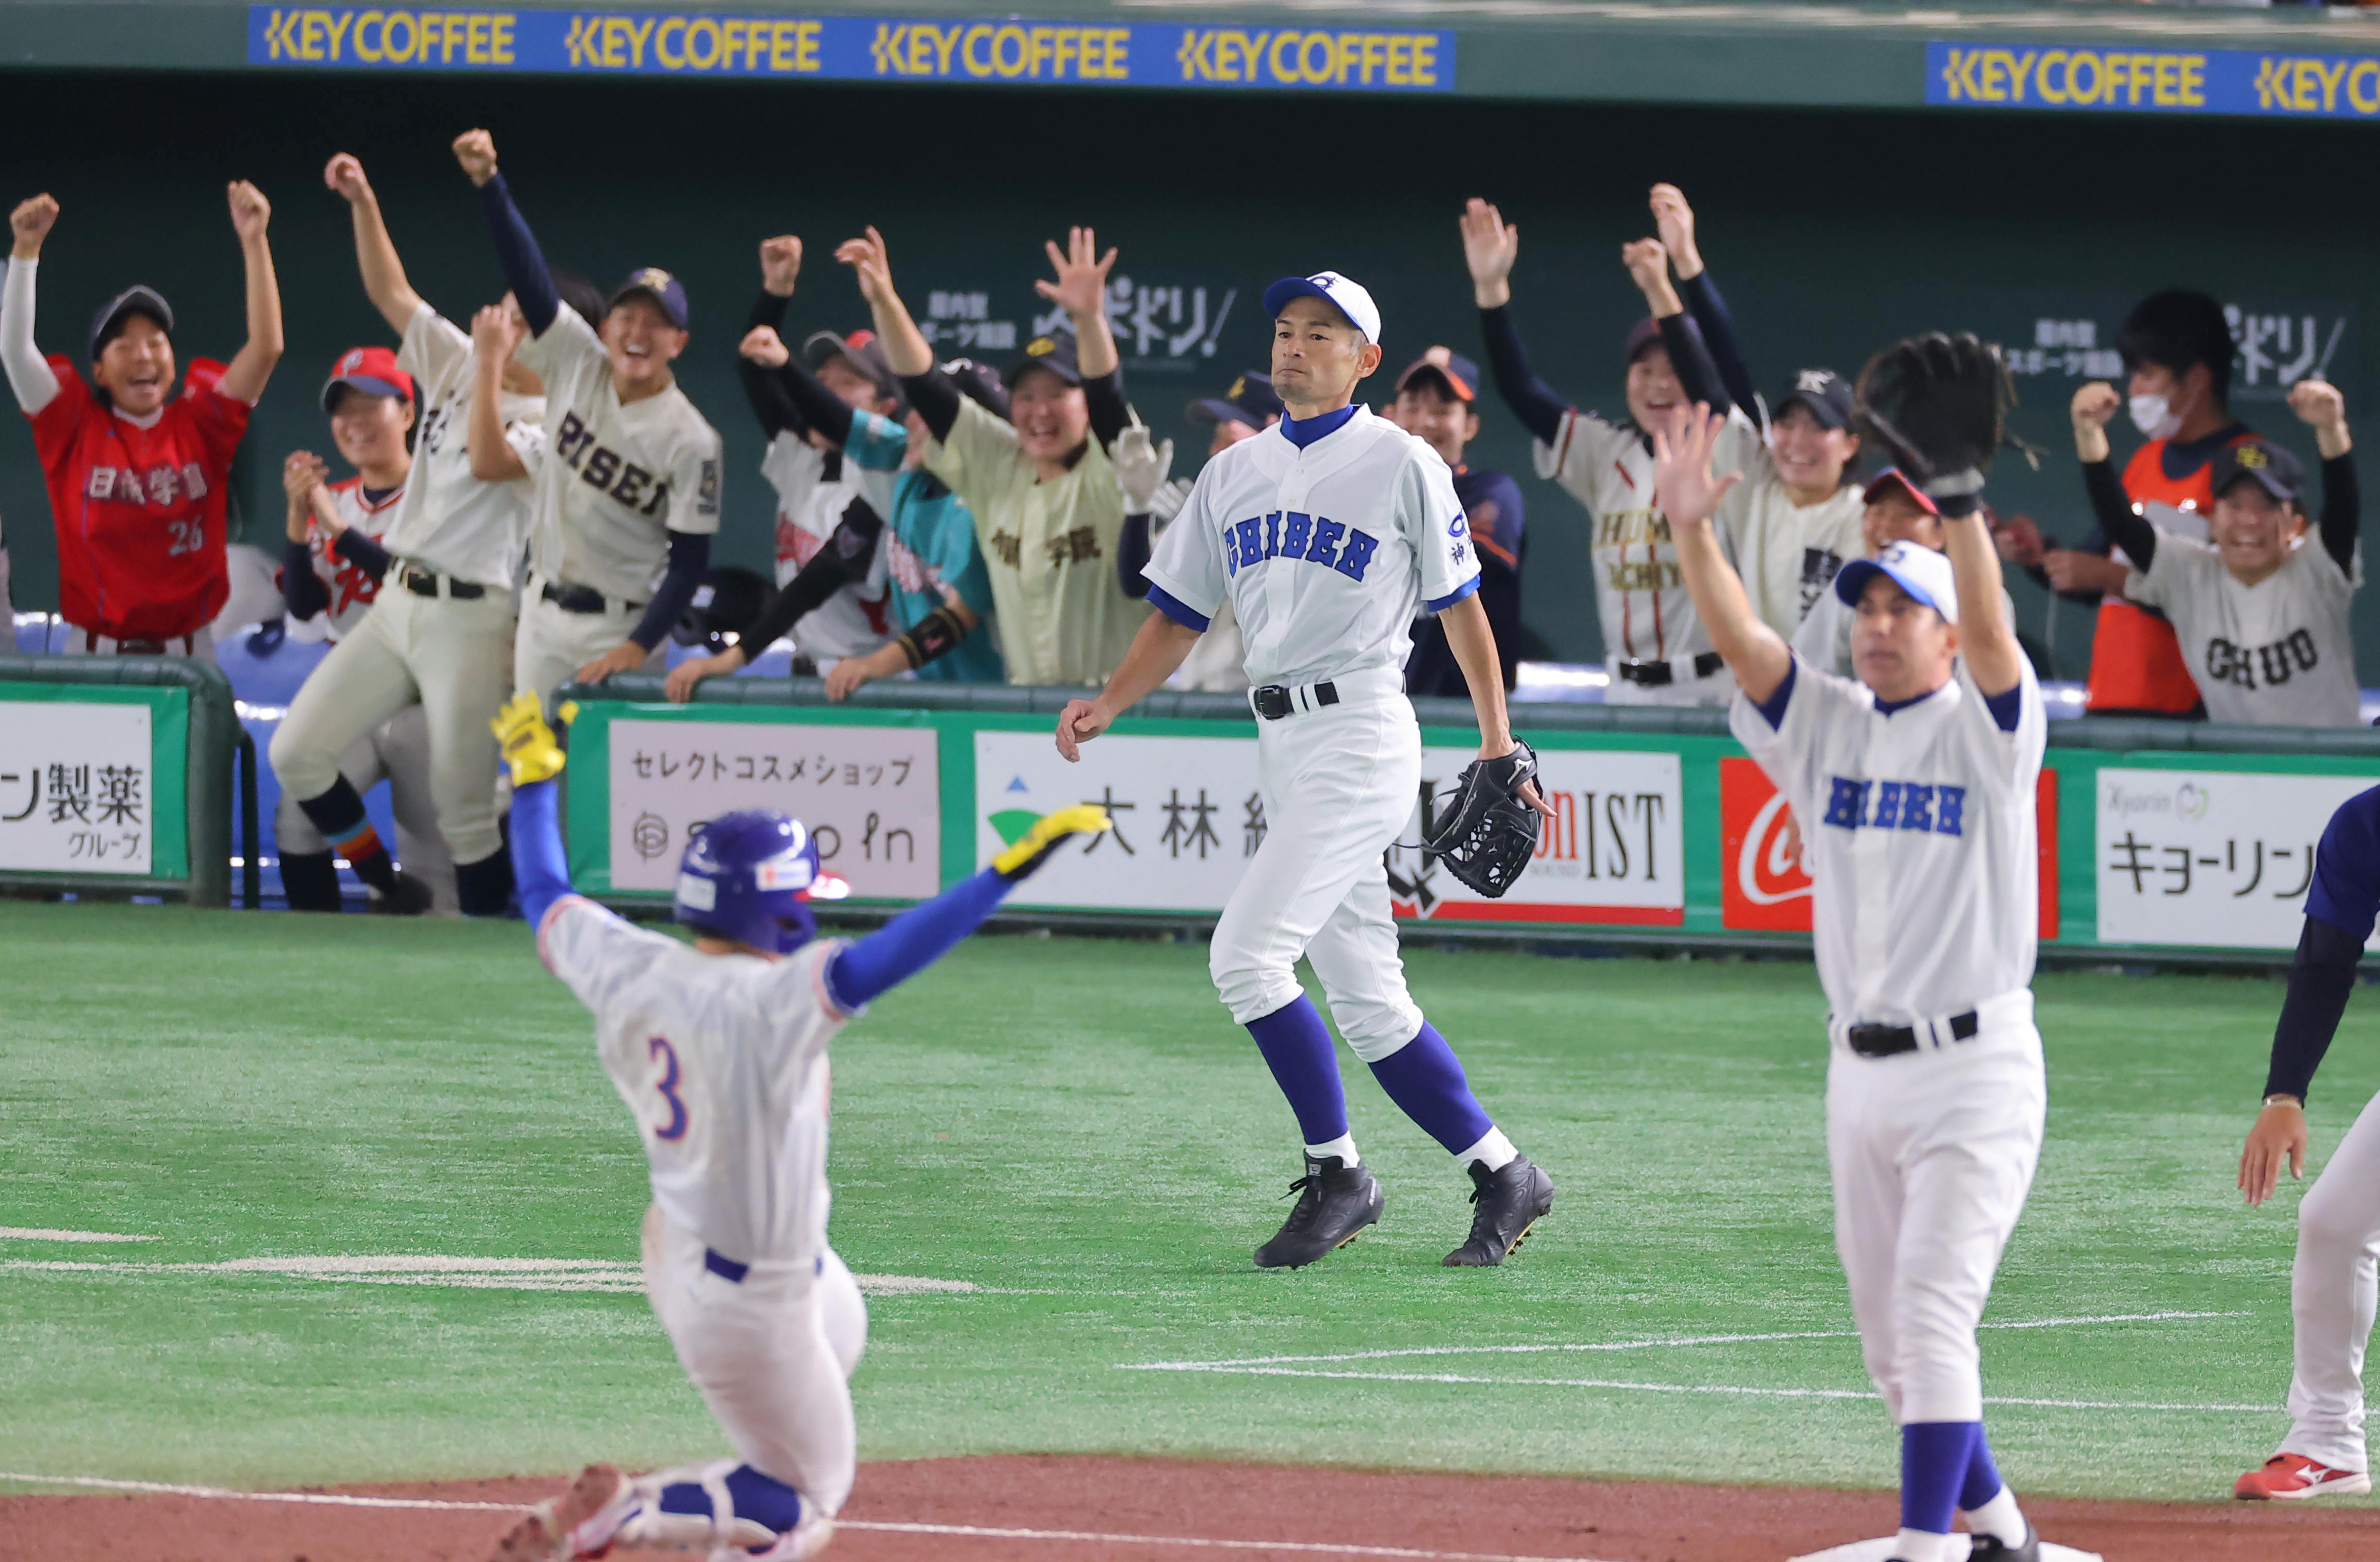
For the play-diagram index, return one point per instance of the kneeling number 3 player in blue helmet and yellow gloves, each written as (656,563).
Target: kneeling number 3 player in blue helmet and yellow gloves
(720,1051)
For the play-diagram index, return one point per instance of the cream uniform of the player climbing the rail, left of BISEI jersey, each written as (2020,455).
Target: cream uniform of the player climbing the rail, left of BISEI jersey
(430,661)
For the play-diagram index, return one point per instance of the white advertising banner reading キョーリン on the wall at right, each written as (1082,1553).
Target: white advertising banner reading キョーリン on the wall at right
(2210,858)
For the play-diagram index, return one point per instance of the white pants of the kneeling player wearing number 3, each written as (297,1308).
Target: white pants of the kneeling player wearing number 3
(770,1354)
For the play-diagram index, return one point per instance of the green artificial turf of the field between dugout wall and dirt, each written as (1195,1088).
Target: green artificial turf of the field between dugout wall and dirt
(1077,1130)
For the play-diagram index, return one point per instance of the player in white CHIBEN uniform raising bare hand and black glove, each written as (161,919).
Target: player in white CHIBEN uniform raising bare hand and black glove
(1915,787)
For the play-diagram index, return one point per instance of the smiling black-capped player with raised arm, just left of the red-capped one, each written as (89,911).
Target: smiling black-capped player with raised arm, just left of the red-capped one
(1796,518)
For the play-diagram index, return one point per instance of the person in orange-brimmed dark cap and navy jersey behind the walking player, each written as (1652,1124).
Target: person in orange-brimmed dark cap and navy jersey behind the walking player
(1439,406)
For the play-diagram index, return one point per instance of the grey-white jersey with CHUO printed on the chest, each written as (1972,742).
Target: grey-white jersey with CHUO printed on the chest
(2276,654)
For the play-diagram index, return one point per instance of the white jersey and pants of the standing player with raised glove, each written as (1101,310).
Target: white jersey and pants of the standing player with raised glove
(1919,835)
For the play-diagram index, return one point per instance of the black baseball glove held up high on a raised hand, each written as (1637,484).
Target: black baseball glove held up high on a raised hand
(1941,406)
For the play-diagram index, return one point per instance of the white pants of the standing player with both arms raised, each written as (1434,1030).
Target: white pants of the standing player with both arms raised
(1934,1154)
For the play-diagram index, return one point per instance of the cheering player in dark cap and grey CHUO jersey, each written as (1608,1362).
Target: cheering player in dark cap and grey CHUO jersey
(2262,611)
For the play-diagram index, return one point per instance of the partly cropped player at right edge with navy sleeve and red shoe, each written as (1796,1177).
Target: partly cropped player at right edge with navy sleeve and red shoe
(2336,1282)
